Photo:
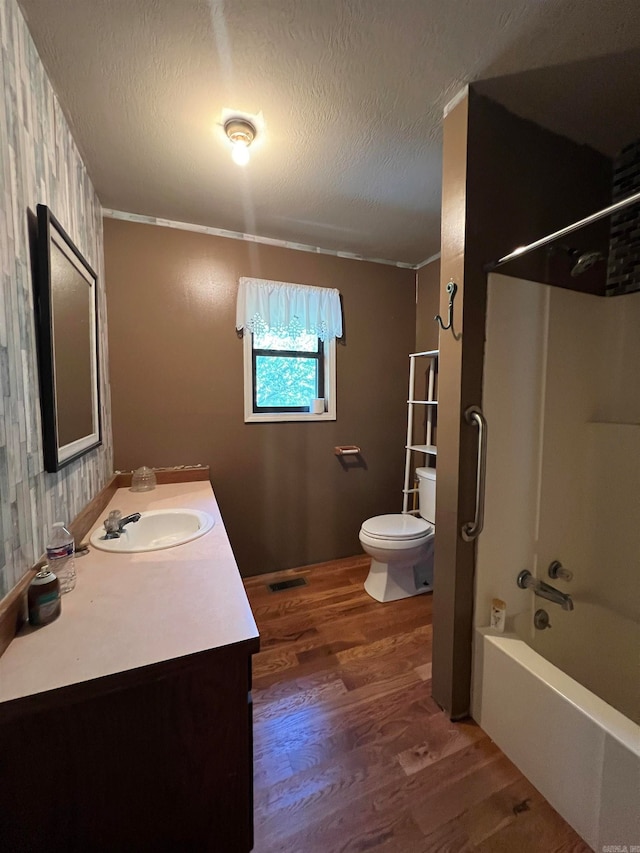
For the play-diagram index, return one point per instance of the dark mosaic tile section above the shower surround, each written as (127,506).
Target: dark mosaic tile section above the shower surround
(623,274)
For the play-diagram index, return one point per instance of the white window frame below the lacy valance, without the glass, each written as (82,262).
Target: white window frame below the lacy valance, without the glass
(327,367)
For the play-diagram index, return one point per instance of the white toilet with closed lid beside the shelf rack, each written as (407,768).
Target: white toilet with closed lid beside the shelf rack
(401,547)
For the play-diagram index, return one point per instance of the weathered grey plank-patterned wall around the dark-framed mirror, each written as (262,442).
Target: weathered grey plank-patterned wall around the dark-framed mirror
(39,163)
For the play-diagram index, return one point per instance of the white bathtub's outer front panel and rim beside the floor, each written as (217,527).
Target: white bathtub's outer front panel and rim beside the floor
(581,753)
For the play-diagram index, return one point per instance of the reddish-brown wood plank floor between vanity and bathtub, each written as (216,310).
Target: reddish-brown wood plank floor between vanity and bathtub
(352,753)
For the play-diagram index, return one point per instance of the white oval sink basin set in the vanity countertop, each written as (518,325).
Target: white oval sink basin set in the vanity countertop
(157,529)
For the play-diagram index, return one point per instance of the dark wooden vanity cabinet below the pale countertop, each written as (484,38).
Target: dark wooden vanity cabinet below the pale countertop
(153,759)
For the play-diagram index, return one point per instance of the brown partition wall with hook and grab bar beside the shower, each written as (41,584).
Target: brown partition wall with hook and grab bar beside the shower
(506,181)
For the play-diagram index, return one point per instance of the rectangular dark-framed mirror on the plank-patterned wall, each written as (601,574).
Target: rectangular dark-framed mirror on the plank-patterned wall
(67,327)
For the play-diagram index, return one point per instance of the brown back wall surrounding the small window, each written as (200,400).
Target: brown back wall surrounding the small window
(177,389)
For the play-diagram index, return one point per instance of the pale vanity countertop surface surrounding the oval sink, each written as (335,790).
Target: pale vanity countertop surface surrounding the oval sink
(132,610)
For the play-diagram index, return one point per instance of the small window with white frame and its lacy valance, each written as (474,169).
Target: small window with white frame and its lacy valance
(289,350)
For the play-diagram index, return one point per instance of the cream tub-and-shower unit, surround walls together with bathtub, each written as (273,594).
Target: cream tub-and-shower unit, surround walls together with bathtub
(563,483)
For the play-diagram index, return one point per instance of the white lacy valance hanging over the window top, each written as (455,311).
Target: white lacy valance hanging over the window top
(284,308)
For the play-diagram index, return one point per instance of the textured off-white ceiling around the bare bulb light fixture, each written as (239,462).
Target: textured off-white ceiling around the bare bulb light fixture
(351,91)
